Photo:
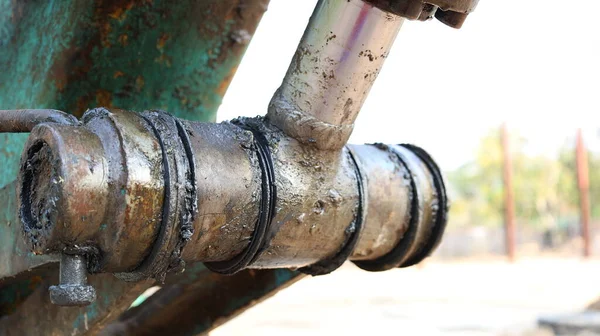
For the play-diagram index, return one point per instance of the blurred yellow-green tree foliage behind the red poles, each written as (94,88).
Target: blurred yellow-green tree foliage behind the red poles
(545,189)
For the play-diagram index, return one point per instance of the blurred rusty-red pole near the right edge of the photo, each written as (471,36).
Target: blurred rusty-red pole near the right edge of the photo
(583,183)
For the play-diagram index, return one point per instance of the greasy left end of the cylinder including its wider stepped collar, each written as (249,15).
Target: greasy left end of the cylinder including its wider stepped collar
(120,181)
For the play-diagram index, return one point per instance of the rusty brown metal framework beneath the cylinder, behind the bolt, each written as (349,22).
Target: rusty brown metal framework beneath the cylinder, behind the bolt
(198,300)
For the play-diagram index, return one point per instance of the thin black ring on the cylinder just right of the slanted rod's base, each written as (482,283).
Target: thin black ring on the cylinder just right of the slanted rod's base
(355,229)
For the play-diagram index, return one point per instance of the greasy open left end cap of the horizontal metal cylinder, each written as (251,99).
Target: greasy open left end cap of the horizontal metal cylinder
(60,187)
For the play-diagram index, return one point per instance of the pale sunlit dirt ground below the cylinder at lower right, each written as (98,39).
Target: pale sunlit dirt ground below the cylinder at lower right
(482,297)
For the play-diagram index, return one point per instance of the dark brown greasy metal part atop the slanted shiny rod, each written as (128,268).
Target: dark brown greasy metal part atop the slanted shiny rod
(450,12)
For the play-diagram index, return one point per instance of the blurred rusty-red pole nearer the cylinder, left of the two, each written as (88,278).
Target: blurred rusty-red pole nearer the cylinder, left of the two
(509,206)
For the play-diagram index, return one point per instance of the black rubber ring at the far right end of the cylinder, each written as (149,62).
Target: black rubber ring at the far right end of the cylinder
(441,219)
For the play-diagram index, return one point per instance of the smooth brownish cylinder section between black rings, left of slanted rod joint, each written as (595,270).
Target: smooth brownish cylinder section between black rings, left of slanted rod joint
(229,186)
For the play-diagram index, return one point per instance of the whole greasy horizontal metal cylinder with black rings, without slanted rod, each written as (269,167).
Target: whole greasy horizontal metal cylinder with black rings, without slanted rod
(123,189)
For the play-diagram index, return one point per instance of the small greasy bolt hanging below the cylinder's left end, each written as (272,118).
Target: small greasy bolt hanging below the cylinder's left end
(73,289)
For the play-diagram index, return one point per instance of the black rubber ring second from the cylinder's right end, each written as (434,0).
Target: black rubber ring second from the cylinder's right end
(396,256)
